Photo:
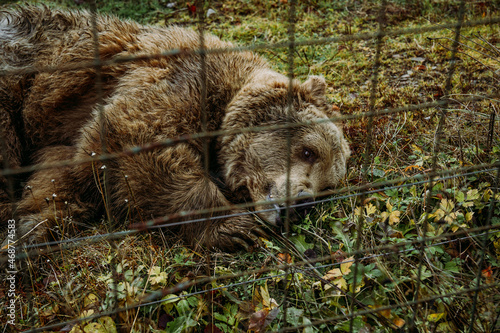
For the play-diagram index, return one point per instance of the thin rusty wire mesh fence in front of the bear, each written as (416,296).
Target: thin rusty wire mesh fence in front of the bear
(423,243)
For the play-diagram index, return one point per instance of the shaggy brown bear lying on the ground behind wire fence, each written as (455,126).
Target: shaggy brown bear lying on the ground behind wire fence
(65,111)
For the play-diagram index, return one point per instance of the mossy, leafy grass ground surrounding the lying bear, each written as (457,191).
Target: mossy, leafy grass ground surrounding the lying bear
(306,280)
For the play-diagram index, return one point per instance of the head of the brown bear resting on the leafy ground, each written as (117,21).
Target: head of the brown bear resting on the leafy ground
(273,151)
